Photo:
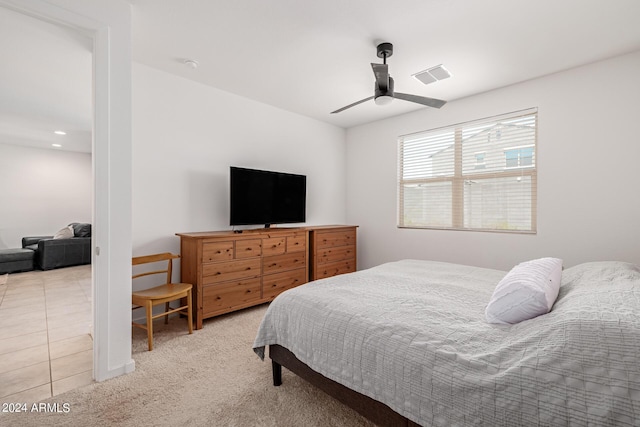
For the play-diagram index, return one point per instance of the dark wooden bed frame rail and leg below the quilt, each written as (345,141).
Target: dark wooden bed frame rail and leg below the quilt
(371,409)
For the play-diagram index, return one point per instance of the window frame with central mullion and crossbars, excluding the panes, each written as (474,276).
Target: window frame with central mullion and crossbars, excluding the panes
(459,178)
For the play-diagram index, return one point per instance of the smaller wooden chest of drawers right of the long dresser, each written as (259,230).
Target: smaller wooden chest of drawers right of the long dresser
(332,250)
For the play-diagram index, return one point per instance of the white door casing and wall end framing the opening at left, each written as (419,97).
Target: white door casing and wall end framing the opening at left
(108,23)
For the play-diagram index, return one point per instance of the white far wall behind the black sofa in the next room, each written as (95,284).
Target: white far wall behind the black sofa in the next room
(42,191)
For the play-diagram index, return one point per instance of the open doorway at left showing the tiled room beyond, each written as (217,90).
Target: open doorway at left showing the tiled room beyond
(46,344)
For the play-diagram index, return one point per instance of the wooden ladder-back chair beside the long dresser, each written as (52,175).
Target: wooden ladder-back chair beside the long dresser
(148,298)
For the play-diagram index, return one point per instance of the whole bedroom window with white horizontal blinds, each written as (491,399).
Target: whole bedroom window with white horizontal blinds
(472,176)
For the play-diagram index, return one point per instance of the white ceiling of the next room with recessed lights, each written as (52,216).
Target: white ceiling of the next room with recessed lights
(45,84)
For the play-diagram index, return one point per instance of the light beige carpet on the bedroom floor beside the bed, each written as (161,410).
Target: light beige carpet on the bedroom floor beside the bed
(210,378)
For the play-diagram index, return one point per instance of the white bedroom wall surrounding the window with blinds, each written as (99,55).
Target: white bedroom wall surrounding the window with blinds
(588,173)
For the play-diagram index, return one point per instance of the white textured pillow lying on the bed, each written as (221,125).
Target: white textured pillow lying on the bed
(527,291)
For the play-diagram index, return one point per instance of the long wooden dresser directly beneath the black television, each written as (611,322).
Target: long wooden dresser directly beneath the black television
(231,271)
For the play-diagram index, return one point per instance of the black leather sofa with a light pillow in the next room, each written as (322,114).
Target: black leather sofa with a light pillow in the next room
(55,253)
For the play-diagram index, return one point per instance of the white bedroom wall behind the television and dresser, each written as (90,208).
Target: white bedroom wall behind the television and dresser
(185,137)
